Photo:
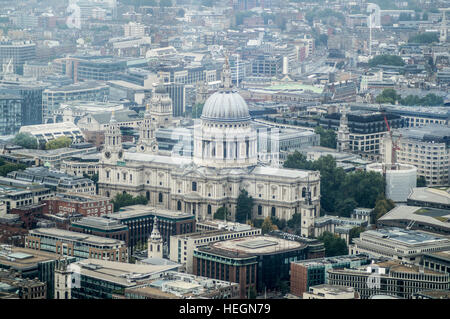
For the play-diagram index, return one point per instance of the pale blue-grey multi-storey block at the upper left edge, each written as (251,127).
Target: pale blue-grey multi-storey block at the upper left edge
(15,54)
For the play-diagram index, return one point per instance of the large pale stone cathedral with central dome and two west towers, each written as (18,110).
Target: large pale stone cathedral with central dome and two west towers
(224,162)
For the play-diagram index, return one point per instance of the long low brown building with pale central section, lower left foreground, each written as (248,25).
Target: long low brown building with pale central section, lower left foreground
(78,245)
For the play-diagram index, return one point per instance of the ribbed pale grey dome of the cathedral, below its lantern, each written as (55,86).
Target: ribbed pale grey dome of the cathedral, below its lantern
(225,106)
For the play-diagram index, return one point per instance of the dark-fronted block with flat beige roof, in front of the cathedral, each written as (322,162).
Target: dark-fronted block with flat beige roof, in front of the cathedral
(255,263)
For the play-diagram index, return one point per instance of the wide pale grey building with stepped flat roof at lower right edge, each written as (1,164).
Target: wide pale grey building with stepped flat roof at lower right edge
(407,246)
